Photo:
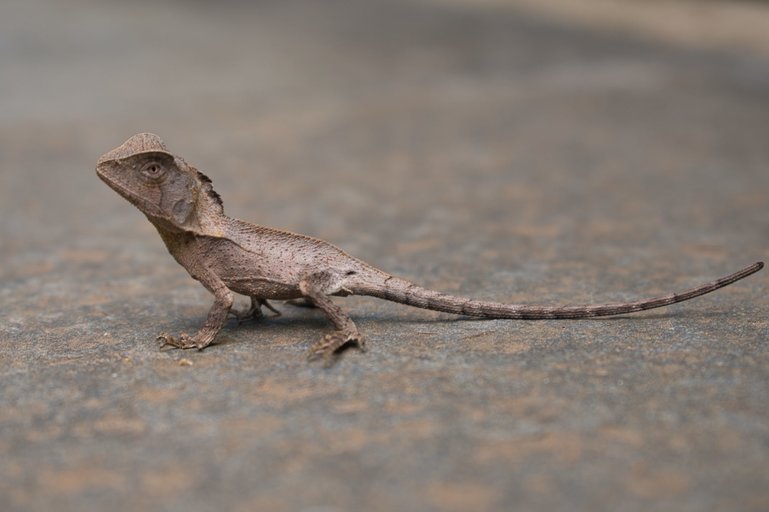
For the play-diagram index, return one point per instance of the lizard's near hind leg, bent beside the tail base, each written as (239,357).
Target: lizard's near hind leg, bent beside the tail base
(313,288)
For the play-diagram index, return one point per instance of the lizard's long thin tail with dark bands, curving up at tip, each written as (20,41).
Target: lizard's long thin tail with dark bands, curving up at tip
(405,292)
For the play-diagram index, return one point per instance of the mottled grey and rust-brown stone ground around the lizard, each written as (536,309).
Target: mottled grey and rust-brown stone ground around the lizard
(477,148)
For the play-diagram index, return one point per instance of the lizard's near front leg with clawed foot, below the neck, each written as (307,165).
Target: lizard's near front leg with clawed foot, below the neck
(217,315)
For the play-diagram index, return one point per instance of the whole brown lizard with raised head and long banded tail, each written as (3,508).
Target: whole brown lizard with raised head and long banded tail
(231,256)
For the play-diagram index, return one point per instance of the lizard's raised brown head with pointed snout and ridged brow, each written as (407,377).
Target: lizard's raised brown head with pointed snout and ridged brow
(163,186)
